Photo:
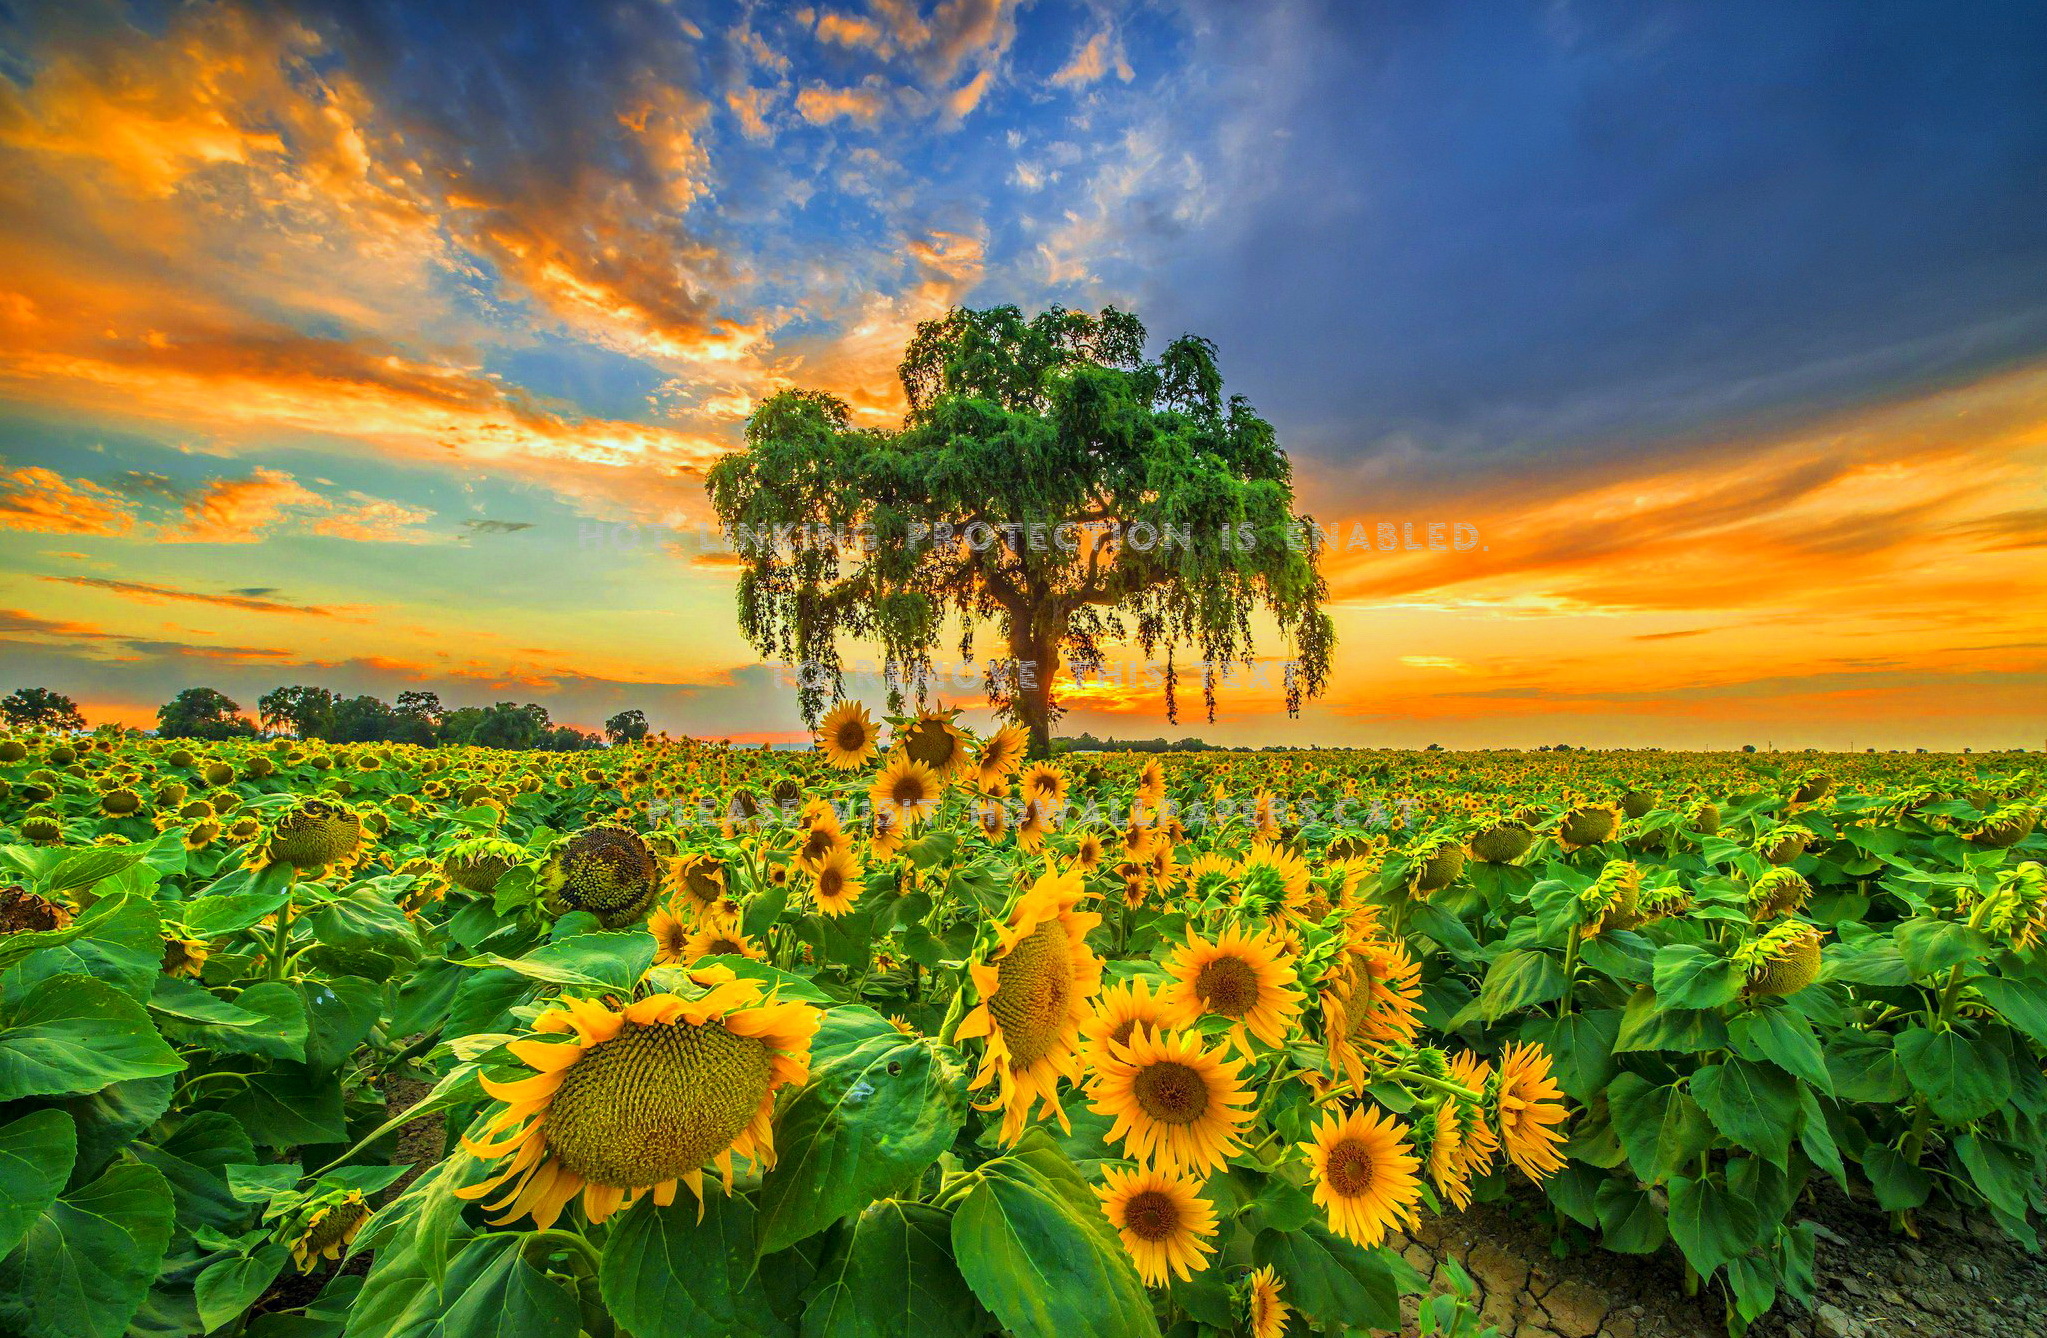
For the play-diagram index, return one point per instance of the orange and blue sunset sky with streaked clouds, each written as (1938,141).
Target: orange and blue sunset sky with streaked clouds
(384,347)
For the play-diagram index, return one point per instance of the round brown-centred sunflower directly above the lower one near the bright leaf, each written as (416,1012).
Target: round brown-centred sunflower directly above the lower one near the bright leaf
(1176,1102)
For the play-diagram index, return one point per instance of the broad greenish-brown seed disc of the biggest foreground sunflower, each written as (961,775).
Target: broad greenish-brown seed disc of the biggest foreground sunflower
(656,1102)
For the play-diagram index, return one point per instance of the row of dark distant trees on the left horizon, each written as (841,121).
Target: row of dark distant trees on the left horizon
(318,713)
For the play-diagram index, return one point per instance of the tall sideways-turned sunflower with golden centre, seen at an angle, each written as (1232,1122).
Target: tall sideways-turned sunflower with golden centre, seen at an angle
(1035,989)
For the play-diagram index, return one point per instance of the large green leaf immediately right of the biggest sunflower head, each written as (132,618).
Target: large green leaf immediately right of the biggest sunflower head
(863,1126)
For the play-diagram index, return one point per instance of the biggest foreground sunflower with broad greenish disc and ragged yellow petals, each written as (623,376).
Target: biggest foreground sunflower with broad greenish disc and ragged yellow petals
(642,1100)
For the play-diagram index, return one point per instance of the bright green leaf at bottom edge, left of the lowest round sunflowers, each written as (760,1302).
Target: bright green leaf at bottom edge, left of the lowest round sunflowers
(1041,1261)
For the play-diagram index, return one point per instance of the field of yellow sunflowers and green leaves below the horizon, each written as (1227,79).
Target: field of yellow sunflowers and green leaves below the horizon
(908,1036)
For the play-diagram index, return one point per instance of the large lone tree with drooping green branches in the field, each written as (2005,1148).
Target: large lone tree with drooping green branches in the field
(1049,478)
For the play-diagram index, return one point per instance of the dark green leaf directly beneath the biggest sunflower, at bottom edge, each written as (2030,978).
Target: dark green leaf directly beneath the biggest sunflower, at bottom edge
(668,1276)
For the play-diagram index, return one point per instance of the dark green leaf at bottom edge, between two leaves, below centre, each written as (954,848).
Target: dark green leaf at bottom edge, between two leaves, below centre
(894,1278)
